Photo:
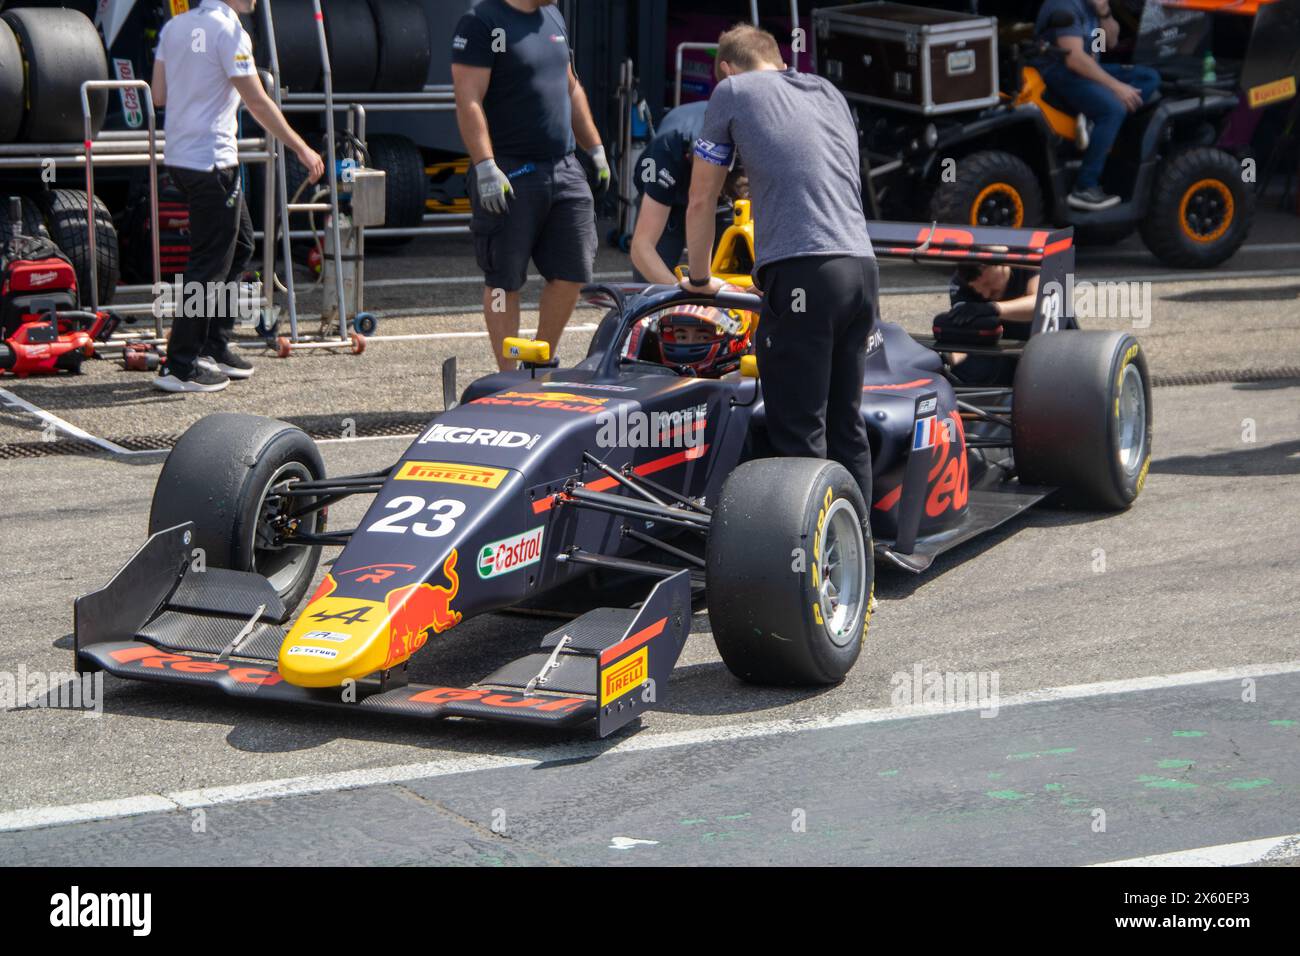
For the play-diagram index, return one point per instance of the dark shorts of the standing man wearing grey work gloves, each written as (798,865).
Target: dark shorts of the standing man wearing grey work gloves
(551,220)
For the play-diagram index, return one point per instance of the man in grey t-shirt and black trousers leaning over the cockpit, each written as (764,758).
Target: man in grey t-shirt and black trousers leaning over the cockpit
(813,257)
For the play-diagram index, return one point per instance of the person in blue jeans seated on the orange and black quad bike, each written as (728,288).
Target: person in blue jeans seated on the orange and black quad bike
(1104,93)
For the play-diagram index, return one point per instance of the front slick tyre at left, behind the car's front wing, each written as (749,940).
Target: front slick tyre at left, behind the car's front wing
(223,475)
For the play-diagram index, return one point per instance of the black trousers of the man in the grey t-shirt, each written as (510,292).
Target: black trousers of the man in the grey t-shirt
(812,356)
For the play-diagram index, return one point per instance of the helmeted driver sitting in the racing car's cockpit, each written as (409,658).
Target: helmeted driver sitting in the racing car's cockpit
(703,341)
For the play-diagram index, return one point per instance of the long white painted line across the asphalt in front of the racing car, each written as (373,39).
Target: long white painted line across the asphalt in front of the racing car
(37,817)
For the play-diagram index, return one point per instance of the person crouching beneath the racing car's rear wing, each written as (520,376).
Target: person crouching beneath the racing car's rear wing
(989,296)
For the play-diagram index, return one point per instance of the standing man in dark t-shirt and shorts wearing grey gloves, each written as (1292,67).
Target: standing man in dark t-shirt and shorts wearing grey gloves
(521,107)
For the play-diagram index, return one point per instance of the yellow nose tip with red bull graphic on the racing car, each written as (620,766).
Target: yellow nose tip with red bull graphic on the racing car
(337,639)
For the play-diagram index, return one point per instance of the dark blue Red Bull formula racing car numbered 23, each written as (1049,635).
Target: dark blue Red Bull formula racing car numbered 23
(545,488)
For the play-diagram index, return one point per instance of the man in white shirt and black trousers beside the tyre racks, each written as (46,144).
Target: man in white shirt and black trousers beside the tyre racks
(203,68)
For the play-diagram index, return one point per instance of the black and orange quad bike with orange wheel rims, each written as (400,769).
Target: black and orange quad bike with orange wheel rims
(1016,163)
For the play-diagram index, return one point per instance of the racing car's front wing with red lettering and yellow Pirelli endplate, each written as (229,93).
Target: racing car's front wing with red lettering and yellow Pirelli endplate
(161,621)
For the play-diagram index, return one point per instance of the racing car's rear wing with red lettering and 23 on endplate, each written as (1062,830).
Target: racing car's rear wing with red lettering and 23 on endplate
(1050,252)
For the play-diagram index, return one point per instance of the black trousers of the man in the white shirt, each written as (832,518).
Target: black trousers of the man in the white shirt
(220,250)
